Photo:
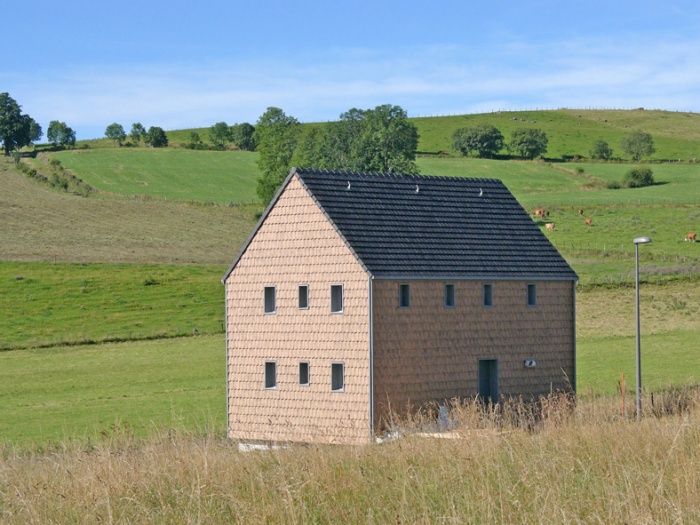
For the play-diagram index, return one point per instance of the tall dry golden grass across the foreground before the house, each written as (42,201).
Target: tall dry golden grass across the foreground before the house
(555,463)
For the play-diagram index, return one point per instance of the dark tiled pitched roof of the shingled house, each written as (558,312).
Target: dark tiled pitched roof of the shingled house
(403,226)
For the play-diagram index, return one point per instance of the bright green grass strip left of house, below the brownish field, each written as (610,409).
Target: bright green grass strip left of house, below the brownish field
(45,304)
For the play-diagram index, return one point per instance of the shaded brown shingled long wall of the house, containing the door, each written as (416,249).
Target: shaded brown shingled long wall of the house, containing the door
(428,352)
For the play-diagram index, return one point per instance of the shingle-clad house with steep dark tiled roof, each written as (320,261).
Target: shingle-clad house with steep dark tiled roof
(362,293)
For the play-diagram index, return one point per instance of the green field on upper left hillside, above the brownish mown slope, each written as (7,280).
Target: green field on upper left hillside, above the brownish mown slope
(210,176)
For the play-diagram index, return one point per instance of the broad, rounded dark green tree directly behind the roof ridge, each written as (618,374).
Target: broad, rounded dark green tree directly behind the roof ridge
(379,139)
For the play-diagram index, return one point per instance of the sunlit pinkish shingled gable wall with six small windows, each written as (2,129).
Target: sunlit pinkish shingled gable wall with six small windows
(297,245)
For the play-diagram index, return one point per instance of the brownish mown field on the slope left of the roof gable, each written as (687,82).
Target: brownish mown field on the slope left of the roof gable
(39,224)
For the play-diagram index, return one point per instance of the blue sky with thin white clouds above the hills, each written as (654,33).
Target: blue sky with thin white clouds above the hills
(182,64)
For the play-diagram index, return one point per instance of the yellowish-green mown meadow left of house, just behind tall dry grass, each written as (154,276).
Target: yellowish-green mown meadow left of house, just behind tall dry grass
(81,392)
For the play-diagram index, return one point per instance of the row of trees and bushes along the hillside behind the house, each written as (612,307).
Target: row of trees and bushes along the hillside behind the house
(380,139)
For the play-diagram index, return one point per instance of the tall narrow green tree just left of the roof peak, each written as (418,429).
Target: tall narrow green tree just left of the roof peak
(277,135)
